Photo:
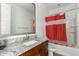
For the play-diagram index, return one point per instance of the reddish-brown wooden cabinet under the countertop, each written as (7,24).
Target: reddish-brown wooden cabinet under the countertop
(39,50)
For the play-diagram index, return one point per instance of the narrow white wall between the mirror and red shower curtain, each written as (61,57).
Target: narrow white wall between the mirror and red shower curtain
(41,13)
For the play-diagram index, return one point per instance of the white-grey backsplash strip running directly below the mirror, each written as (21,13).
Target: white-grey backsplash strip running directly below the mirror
(18,38)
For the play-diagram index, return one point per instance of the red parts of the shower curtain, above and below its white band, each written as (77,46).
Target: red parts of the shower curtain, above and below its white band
(56,32)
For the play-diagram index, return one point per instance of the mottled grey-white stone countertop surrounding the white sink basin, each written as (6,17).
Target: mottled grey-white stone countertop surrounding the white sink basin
(16,49)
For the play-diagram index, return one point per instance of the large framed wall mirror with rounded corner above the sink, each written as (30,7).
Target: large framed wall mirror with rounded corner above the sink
(17,18)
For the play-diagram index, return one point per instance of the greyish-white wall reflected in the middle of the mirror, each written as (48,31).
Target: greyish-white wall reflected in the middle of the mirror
(21,20)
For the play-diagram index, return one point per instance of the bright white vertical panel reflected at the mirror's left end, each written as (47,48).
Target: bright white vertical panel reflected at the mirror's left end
(5,18)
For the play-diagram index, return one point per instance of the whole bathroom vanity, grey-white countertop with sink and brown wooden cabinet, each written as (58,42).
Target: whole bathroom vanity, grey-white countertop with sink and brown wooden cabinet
(32,47)
